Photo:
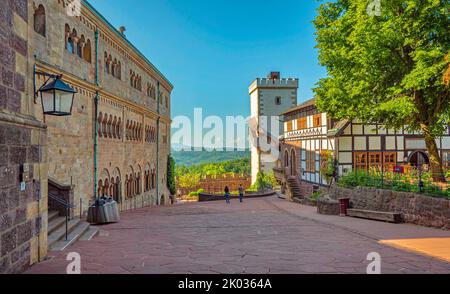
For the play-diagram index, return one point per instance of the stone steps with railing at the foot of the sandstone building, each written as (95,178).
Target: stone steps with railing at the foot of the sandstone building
(77,229)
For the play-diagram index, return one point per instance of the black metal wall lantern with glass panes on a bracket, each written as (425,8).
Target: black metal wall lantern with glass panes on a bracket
(56,96)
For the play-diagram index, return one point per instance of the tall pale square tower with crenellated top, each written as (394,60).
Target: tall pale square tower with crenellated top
(269,97)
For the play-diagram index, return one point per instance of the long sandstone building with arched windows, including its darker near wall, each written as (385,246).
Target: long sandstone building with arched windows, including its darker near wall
(133,115)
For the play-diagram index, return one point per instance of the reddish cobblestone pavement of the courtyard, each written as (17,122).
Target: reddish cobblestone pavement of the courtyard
(256,237)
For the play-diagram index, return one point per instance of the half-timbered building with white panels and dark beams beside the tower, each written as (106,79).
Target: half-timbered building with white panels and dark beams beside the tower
(309,135)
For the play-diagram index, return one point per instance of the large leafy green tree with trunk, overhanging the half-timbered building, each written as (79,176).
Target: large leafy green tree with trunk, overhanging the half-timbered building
(389,68)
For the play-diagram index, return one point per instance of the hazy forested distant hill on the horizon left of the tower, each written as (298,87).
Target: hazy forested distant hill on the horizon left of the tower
(189,158)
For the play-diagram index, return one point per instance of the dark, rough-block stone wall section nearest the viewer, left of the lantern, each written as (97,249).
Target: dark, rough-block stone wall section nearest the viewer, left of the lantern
(23,212)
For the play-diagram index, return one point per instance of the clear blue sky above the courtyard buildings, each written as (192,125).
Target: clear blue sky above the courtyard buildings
(211,50)
